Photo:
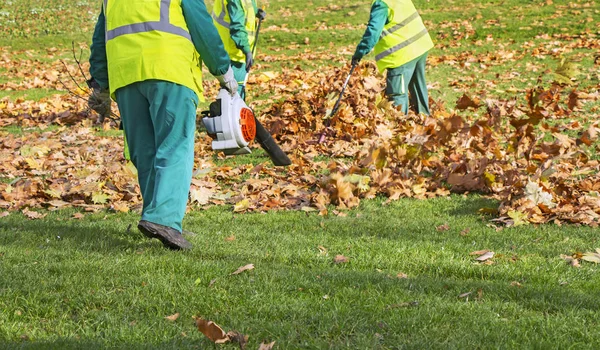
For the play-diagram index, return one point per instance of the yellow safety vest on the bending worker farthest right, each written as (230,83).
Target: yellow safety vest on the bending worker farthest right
(404,37)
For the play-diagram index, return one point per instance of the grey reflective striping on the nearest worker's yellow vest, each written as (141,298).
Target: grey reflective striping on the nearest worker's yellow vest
(162,25)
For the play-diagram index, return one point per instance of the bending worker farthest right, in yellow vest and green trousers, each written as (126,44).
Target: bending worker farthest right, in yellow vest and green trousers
(401,43)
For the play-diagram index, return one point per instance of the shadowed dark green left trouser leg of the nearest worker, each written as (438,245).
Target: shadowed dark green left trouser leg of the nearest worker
(139,135)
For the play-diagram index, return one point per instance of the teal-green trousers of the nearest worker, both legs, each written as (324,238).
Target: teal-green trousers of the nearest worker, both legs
(159,120)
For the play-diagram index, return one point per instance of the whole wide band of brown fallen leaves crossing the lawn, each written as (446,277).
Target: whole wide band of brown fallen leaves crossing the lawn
(534,153)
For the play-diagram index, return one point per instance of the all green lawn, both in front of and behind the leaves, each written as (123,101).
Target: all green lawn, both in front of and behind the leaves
(96,283)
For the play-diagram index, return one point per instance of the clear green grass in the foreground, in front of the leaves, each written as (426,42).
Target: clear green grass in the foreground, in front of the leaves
(80,283)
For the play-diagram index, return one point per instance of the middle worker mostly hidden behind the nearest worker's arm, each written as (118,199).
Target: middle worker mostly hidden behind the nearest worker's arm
(236,22)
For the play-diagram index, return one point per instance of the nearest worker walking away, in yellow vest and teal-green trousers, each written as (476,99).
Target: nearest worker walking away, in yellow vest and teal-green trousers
(147,56)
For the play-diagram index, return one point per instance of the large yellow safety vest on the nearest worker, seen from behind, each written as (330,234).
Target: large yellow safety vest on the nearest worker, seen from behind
(149,39)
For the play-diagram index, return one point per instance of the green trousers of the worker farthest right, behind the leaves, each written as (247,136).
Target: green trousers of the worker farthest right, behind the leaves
(406,86)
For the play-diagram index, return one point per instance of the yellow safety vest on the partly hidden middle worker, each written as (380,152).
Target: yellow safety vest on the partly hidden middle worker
(222,22)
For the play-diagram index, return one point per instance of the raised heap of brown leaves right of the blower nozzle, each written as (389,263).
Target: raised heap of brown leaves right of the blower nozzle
(532,157)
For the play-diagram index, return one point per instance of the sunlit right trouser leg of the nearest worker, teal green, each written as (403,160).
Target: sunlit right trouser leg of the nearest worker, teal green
(173,113)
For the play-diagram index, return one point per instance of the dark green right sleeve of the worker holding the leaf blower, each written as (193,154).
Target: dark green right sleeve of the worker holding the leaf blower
(205,37)
